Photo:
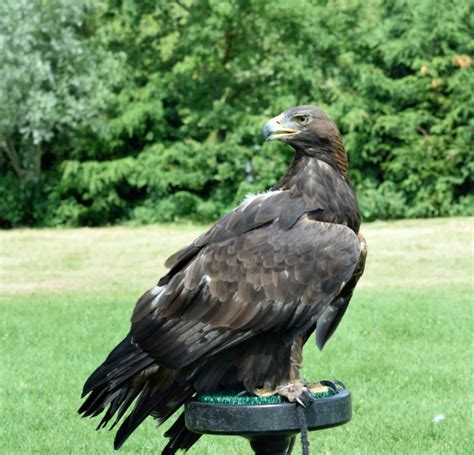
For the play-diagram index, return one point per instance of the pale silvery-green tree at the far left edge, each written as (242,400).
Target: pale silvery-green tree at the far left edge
(51,87)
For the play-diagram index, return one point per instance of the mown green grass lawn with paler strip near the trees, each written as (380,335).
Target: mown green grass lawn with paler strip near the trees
(404,348)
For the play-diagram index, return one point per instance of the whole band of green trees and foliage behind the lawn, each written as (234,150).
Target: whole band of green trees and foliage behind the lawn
(148,111)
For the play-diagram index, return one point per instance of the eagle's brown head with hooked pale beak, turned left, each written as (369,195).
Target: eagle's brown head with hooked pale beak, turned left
(302,127)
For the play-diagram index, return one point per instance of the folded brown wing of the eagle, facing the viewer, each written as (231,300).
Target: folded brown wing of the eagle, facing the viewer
(267,279)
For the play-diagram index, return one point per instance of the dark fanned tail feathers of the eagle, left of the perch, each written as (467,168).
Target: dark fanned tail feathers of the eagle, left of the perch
(129,377)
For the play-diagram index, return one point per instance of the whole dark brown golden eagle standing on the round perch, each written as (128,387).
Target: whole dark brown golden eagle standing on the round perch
(239,302)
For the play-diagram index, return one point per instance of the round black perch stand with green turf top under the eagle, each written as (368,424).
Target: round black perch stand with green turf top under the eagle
(270,427)
